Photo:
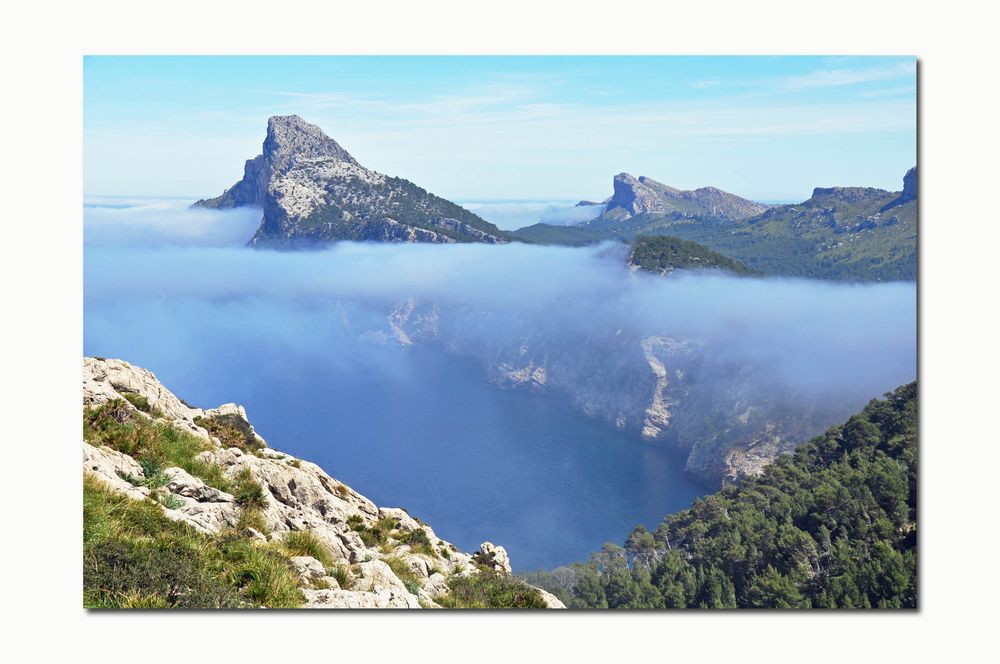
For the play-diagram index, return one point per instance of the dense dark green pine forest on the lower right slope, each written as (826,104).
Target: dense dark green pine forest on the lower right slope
(833,525)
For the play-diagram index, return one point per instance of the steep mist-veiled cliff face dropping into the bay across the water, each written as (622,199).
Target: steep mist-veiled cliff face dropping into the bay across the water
(731,420)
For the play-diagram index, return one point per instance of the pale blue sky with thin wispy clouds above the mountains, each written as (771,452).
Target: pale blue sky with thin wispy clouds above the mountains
(503,128)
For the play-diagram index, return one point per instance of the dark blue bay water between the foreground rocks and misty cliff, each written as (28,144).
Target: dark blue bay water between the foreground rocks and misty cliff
(431,435)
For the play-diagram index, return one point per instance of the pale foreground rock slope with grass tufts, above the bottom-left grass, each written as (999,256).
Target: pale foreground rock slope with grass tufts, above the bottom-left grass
(373,557)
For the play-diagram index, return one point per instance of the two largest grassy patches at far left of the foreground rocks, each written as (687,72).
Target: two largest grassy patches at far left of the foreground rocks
(135,557)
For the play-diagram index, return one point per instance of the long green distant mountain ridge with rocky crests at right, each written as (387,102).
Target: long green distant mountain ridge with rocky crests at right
(840,233)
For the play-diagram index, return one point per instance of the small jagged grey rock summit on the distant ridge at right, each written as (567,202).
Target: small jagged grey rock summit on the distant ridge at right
(636,196)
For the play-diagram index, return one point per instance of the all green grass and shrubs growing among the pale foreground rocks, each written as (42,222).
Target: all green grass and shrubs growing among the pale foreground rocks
(134,556)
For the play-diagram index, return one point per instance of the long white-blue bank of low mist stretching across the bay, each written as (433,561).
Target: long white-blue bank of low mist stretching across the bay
(169,293)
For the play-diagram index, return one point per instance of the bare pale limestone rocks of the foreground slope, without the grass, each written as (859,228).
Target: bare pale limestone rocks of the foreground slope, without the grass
(298,496)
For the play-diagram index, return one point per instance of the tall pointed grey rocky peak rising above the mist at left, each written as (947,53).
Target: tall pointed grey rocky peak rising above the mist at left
(313,192)
